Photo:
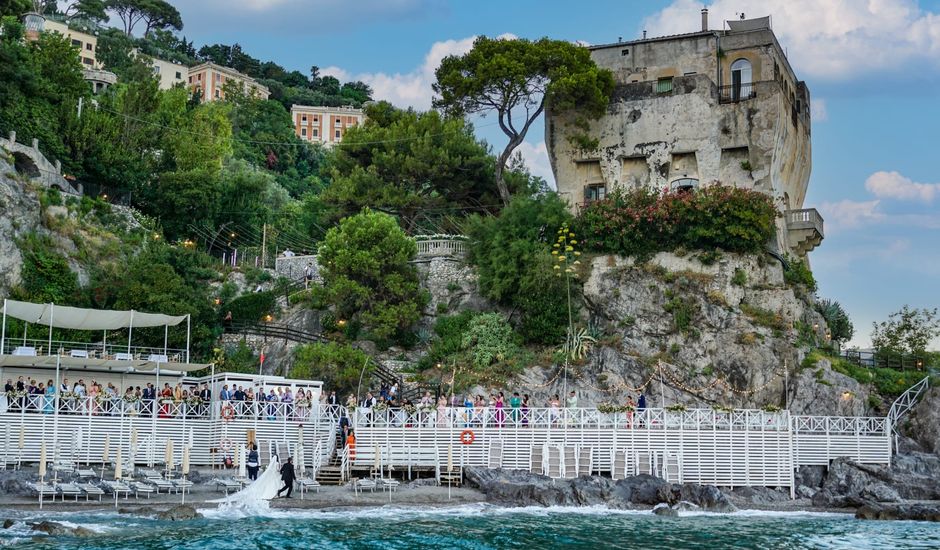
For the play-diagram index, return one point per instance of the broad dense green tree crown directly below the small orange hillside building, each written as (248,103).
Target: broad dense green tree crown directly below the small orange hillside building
(410,164)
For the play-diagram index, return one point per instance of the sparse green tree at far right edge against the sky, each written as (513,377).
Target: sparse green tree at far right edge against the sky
(908,331)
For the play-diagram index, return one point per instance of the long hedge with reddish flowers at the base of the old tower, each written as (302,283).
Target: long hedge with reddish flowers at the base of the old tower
(642,222)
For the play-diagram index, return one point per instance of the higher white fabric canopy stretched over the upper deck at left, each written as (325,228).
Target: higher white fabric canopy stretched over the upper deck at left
(86,319)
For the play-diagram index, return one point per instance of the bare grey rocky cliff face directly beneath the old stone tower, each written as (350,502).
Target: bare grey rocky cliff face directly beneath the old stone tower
(723,334)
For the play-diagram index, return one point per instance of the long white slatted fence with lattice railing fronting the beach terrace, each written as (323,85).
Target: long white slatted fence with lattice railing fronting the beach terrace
(727,448)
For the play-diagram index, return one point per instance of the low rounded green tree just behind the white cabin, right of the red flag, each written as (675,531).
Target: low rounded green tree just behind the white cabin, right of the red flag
(338,366)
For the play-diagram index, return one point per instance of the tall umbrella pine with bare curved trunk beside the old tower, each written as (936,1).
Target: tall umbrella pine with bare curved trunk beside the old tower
(518,79)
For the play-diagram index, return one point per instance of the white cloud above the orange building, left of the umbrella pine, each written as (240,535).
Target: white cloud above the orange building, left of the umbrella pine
(411,89)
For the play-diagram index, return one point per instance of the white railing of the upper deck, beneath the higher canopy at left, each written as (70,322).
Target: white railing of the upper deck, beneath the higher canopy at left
(28,347)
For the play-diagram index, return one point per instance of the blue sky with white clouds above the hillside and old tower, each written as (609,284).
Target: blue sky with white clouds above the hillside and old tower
(872,67)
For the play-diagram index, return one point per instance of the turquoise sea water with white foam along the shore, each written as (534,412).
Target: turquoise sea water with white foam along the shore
(479,526)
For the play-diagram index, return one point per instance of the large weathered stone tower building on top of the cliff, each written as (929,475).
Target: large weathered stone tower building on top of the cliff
(693,109)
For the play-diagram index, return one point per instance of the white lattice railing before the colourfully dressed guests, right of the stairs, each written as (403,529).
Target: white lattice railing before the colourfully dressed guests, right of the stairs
(490,417)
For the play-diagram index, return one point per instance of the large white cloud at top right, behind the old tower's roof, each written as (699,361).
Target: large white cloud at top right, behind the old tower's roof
(826,39)
